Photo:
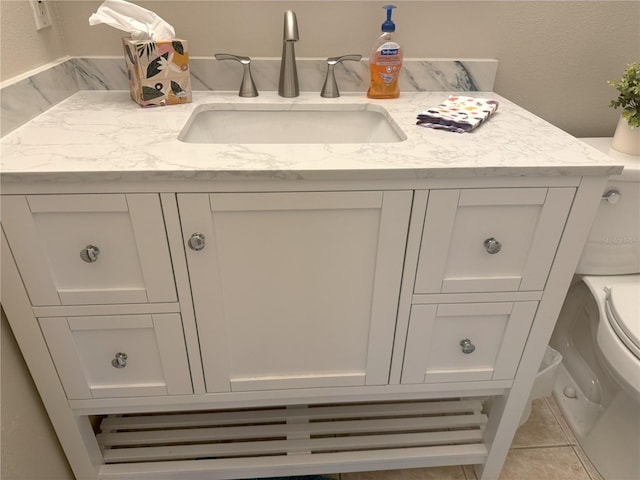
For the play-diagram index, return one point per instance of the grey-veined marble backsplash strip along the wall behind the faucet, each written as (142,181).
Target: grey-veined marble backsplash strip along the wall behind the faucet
(24,99)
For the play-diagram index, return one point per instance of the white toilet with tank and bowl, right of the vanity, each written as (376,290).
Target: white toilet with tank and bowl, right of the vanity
(598,331)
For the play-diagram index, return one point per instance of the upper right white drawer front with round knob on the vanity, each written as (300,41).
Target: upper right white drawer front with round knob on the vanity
(490,240)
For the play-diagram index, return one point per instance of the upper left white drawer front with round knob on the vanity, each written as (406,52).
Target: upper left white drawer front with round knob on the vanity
(90,249)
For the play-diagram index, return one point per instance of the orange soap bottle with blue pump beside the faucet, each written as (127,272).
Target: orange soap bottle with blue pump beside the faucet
(385,61)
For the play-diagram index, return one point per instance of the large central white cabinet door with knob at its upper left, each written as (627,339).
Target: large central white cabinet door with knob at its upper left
(295,290)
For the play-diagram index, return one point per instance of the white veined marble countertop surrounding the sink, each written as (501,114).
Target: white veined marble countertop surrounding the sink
(104,135)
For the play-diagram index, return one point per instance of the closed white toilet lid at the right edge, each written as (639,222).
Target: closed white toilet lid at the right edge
(623,312)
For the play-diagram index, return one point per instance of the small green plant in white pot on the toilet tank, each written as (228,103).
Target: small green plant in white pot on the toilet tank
(626,138)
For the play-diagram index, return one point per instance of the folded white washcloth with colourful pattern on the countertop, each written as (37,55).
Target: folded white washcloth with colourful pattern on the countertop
(458,114)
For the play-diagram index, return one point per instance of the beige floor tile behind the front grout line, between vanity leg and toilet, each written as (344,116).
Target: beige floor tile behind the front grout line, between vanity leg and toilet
(541,429)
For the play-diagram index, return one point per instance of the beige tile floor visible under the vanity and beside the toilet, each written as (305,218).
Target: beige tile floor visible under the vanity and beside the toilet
(544,448)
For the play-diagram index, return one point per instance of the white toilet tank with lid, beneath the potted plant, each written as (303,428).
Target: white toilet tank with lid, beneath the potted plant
(613,246)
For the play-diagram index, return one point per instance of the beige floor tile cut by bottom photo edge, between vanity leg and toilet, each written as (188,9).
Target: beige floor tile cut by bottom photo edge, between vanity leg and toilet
(555,463)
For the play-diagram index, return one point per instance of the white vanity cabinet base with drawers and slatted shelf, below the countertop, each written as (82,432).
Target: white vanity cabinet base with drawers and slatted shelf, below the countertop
(238,333)
